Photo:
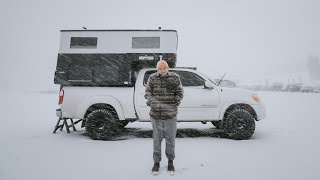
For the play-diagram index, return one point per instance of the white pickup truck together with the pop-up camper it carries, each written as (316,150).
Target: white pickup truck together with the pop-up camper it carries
(103,73)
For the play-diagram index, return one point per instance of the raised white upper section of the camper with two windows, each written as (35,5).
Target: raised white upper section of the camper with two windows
(118,41)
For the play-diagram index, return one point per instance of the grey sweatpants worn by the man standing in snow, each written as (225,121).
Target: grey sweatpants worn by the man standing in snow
(166,129)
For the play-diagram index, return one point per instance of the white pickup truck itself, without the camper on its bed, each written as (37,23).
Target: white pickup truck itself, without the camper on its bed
(105,110)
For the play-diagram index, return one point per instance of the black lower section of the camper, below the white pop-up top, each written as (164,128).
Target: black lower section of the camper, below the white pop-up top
(113,70)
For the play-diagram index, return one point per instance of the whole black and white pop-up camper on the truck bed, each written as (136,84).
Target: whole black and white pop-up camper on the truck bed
(111,57)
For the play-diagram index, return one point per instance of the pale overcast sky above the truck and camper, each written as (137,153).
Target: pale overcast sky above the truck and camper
(247,39)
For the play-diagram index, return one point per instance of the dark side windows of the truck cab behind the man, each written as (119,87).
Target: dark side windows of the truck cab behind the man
(187,78)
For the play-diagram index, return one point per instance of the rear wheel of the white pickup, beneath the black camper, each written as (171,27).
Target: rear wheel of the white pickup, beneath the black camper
(102,125)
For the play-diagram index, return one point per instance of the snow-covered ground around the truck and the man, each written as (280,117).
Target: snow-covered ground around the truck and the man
(285,145)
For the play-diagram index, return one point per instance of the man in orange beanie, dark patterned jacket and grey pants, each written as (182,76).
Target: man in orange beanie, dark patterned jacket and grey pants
(164,93)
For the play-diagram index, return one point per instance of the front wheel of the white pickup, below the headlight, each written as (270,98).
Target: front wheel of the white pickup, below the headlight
(239,124)
